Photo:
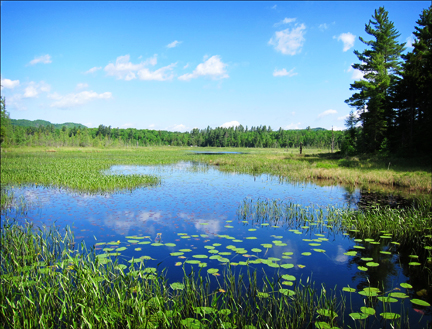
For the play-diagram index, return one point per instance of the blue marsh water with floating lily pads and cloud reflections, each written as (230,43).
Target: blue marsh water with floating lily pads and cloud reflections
(193,220)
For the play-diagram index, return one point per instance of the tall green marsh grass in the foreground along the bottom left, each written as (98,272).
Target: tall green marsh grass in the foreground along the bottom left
(45,283)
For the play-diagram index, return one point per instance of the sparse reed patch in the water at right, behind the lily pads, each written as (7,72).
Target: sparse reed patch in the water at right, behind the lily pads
(404,224)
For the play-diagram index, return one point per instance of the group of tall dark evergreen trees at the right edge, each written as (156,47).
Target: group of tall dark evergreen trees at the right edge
(392,105)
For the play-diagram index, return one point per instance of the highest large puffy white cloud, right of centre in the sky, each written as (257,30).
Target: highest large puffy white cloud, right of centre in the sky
(289,41)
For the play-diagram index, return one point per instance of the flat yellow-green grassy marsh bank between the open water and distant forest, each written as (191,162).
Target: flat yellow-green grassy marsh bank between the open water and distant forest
(80,168)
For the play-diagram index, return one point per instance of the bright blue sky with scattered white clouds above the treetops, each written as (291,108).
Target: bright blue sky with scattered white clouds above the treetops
(182,65)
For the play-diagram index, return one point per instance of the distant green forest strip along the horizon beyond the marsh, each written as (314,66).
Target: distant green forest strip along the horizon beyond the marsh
(49,135)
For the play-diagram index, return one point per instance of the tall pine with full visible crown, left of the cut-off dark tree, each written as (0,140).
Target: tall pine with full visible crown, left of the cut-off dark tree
(380,66)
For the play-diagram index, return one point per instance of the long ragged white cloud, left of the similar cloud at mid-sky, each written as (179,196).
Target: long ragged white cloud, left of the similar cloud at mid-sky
(126,70)
